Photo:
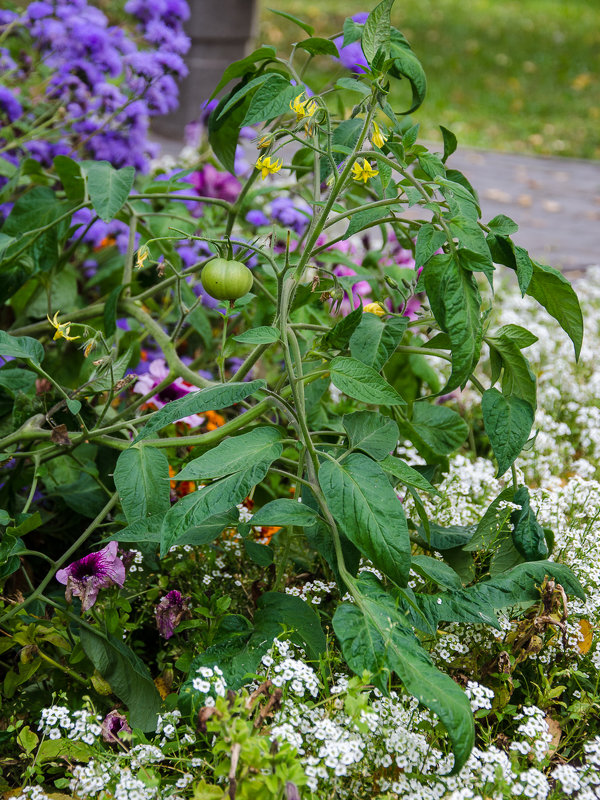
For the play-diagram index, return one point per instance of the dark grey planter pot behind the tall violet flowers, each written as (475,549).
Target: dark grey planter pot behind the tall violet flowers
(221,32)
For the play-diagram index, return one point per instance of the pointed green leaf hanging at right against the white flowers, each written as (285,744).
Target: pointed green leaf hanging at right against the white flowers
(508,422)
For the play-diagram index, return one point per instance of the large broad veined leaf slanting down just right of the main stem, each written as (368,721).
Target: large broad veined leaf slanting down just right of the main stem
(360,497)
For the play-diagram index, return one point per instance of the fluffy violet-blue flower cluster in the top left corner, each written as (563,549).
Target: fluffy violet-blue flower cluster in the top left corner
(95,71)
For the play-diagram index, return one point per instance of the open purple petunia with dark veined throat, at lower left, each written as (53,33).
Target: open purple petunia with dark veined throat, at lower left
(85,578)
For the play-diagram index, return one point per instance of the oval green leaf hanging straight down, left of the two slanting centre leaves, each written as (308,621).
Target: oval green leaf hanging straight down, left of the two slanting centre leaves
(142,480)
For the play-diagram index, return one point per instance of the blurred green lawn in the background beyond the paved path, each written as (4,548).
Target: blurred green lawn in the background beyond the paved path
(515,75)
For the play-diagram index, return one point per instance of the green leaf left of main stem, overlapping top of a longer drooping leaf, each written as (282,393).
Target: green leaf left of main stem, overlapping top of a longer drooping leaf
(233,455)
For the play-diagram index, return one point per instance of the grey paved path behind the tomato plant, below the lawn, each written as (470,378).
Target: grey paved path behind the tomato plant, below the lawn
(555,201)
